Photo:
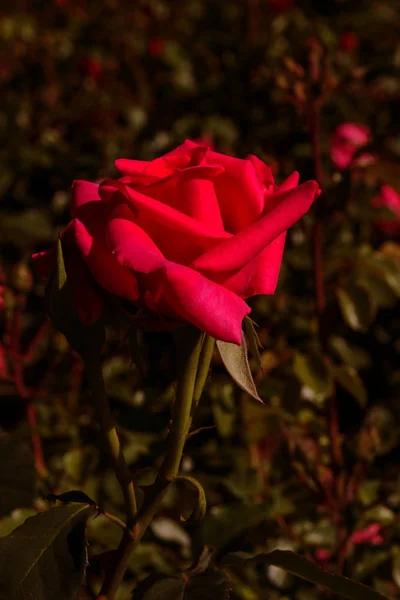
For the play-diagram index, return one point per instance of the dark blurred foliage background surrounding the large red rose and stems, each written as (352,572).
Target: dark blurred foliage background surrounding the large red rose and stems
(315,469)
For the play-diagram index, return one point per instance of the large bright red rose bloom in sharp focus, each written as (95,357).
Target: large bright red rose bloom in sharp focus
(186,237)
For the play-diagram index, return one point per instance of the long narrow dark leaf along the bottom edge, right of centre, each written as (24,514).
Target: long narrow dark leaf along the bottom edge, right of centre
(301,567)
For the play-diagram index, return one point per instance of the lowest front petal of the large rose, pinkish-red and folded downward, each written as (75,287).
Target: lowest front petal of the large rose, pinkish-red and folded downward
(210,307)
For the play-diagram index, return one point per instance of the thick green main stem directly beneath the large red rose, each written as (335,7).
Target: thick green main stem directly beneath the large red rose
(189,345)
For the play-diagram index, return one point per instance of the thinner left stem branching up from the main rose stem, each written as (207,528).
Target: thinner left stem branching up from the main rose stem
(110,436)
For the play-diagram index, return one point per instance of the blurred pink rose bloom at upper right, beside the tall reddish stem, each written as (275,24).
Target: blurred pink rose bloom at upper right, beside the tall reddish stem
(346,140)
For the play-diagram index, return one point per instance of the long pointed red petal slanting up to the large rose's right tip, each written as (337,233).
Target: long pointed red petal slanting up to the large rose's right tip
(286,209)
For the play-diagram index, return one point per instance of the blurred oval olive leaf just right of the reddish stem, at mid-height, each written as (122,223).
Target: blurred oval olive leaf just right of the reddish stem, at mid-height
(357,306)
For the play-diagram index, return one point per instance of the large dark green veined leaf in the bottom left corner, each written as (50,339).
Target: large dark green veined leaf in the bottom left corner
(45,558)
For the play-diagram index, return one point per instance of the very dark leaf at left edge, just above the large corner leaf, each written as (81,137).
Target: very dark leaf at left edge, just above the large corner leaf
(17,475)
